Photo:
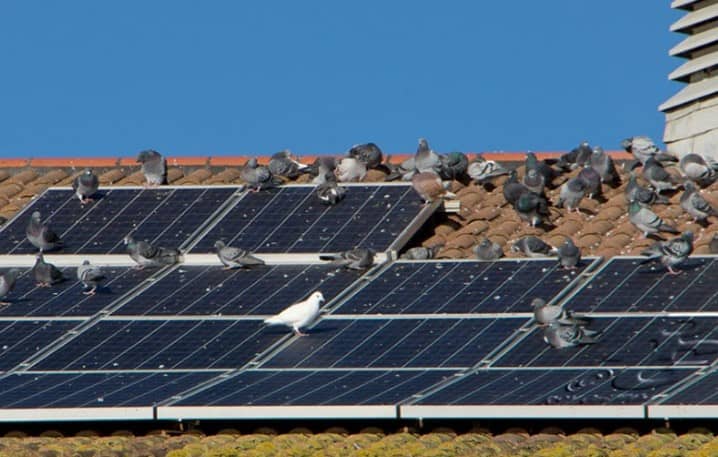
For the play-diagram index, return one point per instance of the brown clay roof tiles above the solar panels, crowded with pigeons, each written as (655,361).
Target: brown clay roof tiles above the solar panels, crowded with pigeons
(601,228)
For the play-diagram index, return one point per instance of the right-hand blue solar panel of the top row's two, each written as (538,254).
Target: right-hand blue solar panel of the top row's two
(291,219)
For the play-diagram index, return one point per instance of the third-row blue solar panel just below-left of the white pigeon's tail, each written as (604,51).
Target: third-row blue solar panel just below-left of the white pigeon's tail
(160,344)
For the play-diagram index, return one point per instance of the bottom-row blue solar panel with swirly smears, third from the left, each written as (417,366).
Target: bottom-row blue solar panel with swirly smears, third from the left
(557,387)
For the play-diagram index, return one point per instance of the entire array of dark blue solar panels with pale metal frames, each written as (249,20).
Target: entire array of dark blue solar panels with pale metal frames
(437,338)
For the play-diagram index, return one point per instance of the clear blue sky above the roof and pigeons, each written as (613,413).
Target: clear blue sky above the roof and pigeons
(94,78)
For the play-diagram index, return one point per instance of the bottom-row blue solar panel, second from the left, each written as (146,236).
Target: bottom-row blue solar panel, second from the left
(336,387)
